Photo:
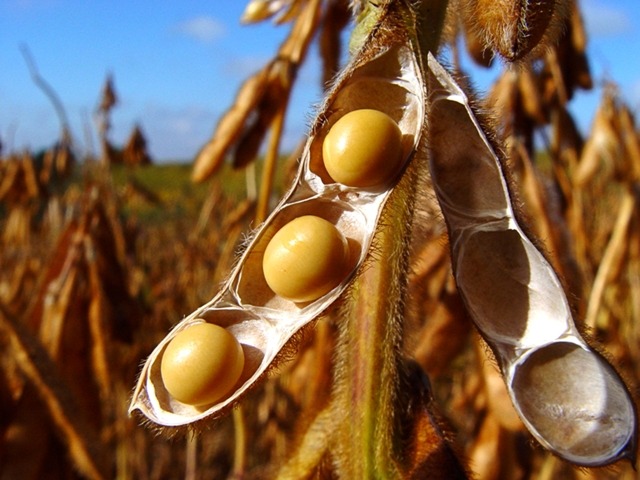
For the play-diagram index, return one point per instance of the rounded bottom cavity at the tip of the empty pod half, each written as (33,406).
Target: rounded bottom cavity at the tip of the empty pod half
(574,403)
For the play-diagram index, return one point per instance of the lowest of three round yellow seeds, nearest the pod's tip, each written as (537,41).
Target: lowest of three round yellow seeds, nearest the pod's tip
(201,364)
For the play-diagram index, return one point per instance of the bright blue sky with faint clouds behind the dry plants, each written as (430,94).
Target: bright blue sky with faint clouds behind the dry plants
(177,66)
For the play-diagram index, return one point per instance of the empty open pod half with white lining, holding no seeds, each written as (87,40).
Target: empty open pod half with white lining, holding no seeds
(569,397)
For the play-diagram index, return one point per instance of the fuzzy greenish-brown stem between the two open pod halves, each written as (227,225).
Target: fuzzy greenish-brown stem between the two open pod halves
(370,343)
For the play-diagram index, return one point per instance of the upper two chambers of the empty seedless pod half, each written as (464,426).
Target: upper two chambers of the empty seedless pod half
(509,288)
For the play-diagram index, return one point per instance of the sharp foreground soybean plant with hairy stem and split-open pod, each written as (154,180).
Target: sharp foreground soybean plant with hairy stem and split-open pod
(338,243)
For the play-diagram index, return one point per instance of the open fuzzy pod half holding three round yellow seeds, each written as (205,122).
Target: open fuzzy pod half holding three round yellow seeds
(383,76)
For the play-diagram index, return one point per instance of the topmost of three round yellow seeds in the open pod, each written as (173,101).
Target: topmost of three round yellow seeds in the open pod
(363,148)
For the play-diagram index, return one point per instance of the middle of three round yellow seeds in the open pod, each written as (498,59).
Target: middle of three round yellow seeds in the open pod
(305,259)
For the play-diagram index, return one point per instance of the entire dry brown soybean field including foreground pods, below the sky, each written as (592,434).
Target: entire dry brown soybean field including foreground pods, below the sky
(437,284)
